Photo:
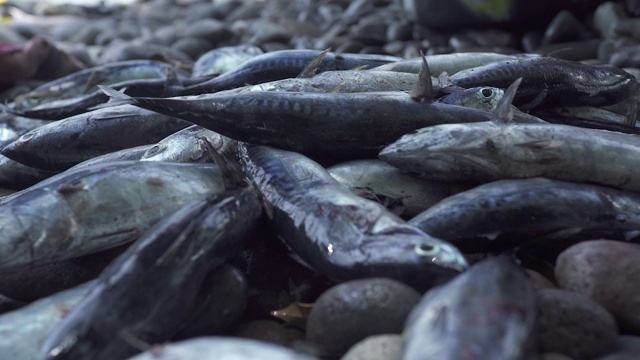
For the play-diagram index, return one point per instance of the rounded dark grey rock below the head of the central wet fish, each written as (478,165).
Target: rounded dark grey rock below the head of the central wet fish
(354,310)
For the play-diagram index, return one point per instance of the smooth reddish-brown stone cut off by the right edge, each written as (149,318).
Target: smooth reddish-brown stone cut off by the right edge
(607,272)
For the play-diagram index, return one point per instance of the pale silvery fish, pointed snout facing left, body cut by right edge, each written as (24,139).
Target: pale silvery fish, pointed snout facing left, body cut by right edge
(489,151)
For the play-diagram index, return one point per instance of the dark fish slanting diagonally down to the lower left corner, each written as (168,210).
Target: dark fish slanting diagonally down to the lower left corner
(151,289)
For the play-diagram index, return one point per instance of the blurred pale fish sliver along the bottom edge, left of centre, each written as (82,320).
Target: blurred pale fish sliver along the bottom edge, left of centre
(221,348)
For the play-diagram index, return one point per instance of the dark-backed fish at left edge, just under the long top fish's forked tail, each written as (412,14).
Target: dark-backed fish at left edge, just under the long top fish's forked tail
(59,145)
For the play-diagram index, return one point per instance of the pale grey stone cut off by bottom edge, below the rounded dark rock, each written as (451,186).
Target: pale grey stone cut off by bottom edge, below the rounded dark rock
(376,347)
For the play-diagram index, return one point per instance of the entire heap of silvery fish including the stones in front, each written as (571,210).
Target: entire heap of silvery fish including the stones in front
(313,199)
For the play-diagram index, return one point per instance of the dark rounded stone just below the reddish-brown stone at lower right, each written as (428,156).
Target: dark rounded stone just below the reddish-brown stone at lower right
(572,324)
